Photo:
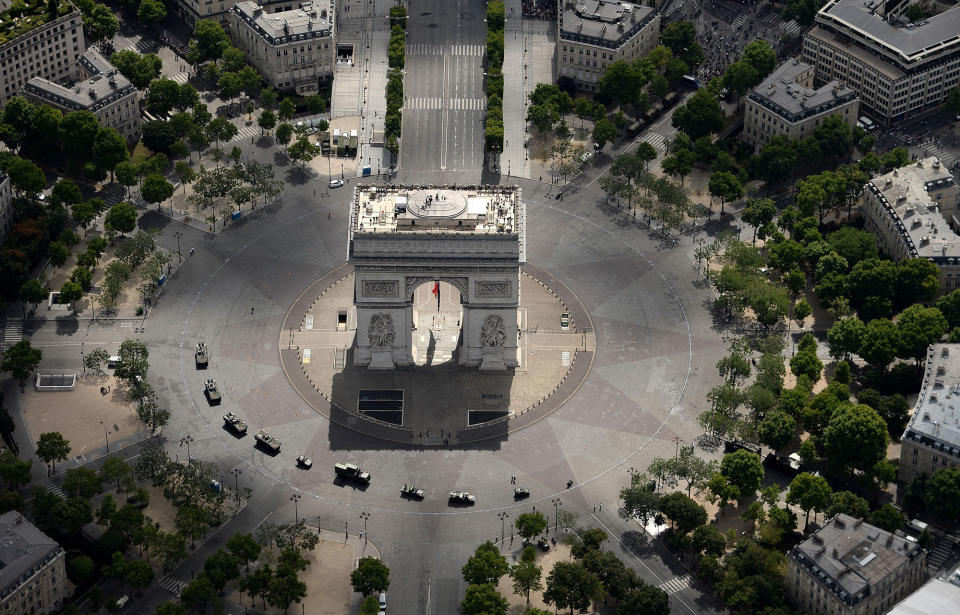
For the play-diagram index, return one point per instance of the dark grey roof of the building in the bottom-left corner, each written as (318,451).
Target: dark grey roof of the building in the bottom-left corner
(23,550)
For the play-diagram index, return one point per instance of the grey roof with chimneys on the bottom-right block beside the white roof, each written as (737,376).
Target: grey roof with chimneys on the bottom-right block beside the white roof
(849,556)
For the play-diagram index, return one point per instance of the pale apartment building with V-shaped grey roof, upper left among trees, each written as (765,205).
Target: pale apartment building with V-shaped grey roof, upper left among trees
(105,93)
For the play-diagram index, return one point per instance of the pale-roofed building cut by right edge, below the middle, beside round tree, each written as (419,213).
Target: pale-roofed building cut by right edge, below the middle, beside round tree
(931,440)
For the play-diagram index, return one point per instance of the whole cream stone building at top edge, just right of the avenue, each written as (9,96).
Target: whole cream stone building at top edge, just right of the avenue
(596,33)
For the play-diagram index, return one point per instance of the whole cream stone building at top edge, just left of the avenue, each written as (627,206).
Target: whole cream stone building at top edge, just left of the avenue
(293,50)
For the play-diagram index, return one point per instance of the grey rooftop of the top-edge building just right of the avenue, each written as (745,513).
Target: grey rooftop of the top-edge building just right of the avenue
(602,22)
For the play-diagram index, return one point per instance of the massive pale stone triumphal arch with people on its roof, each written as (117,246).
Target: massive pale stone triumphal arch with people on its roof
(473,238)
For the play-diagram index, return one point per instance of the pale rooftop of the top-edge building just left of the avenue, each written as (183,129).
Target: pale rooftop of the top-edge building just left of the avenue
(312,20)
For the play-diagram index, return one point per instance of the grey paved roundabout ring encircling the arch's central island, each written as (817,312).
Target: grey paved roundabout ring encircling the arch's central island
(653,363)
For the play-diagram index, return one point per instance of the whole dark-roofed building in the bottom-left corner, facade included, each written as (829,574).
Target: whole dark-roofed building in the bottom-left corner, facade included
(33,577)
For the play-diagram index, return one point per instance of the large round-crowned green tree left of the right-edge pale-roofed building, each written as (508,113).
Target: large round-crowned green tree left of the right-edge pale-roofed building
(856,437)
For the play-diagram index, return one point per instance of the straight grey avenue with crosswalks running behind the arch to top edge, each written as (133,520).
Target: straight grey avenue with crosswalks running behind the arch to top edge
(444,101)
